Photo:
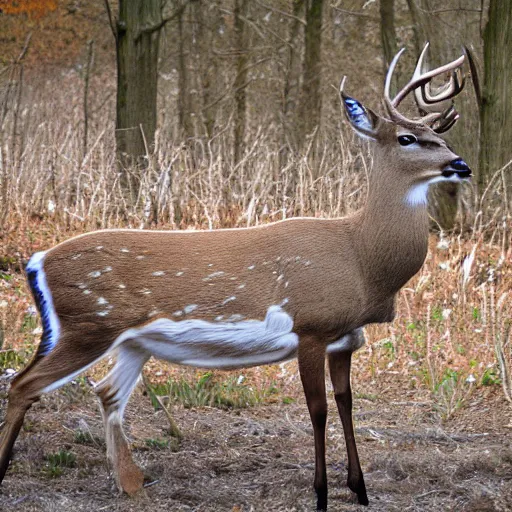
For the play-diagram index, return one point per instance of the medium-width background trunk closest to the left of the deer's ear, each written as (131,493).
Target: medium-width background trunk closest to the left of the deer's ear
(311,106)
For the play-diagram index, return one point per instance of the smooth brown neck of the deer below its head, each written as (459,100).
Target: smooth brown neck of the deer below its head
(394,238)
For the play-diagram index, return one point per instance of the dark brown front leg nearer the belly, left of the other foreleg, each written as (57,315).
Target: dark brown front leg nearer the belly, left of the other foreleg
(312,373)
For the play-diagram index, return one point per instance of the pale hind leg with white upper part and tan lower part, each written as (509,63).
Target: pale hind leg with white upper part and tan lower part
(114,391)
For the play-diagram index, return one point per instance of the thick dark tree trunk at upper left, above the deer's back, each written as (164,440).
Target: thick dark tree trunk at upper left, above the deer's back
(138,32)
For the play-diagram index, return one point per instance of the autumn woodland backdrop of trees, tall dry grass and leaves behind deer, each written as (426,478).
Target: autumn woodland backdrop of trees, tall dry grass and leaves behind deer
(205,114)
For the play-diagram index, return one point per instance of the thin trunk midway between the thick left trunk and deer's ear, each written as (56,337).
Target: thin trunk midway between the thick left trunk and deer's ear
(240,84)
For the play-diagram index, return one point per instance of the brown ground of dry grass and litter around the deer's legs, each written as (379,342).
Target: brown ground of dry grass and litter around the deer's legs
(261,458)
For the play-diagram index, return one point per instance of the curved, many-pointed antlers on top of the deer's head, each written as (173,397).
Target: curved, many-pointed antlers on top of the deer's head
(428,101)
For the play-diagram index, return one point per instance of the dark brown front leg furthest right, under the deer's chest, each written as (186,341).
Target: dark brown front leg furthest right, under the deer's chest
(339,367)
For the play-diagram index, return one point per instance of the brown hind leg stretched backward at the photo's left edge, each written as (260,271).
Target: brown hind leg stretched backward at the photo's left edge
(42,375)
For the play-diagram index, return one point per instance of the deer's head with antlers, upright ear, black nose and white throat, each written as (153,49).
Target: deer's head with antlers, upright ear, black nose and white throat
(409,153)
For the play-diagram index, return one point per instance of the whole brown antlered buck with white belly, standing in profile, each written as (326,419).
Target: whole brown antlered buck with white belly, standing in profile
(235,298)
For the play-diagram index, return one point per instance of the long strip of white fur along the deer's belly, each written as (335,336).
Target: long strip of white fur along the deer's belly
(218,345)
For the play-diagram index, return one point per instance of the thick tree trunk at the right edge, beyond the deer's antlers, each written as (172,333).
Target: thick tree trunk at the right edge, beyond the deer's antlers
(496,112)
